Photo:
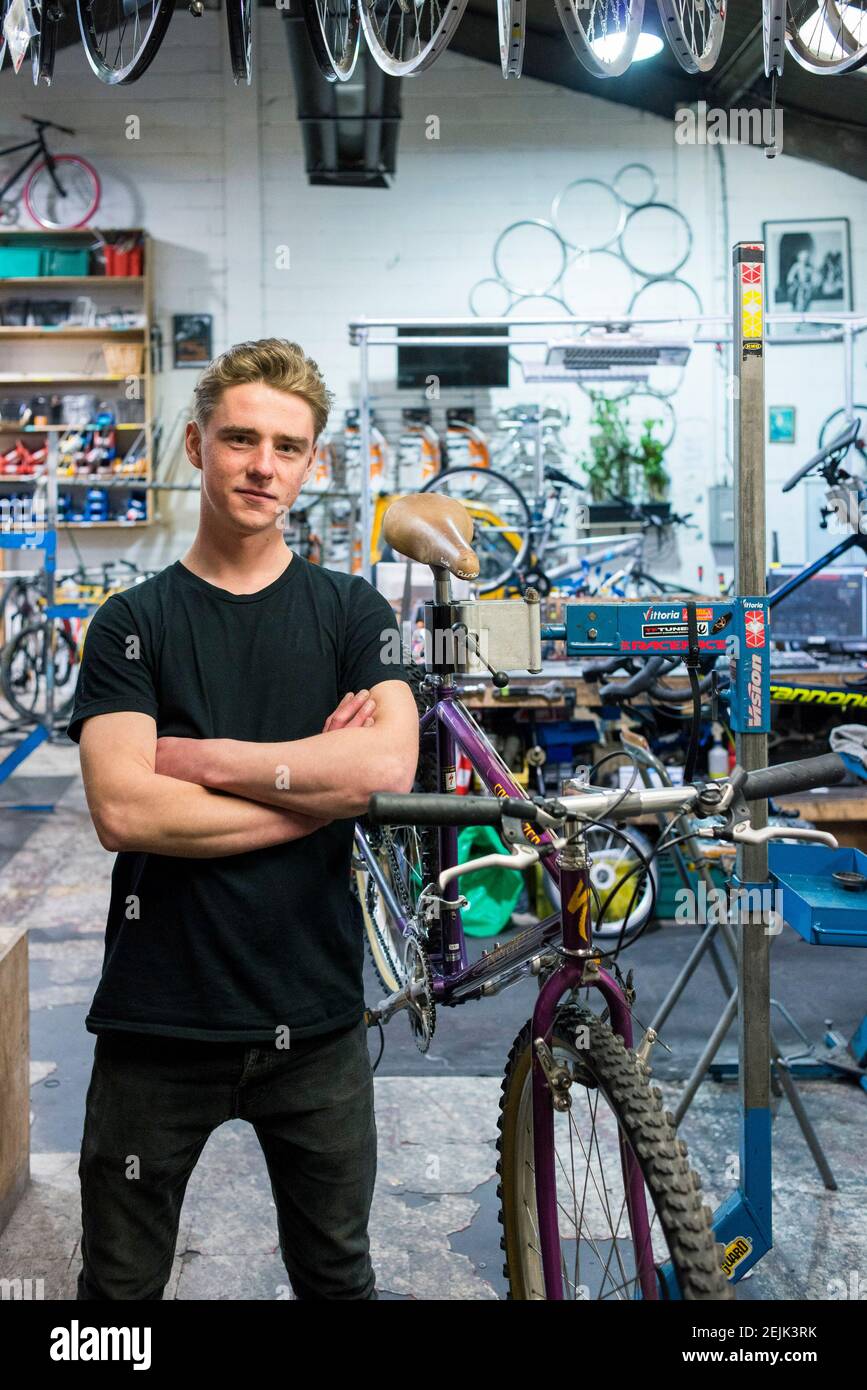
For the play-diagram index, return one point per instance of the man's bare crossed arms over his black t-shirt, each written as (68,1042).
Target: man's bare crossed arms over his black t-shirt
(206,799)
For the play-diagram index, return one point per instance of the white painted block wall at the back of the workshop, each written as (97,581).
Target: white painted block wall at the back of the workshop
(217,179)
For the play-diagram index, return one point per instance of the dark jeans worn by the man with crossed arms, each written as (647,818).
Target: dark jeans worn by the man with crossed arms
(156,1100)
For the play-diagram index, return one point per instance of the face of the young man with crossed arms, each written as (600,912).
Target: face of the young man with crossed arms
(255,455)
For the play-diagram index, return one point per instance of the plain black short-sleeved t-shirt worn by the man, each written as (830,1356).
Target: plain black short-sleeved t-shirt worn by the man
(238,947)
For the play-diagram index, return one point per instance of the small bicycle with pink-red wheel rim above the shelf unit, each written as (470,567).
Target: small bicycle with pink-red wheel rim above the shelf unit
(62,191)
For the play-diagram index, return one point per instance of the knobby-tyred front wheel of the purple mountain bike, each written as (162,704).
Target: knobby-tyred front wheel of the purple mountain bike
(629,1204)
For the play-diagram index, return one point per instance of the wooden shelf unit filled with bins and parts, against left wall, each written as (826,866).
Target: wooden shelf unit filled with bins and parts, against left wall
(69,358)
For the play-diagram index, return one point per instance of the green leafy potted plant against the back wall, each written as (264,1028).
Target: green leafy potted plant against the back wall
(623,475)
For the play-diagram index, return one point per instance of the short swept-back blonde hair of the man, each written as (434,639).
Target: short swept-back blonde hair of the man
(276,363)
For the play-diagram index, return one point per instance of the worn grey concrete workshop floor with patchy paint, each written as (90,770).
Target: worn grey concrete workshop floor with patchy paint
(433,1236)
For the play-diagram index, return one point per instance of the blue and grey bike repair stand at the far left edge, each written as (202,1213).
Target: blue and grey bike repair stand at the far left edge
(40,534)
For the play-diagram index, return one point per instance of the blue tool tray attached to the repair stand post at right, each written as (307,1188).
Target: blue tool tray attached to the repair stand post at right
(814,904)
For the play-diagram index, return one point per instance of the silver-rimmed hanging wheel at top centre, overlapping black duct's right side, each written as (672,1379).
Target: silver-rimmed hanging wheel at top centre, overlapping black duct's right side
(408,38)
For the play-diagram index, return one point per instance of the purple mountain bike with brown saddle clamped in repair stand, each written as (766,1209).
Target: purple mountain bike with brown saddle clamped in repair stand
(565,1235)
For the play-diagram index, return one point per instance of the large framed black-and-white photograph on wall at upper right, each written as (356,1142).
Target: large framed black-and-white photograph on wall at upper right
(809,270)
